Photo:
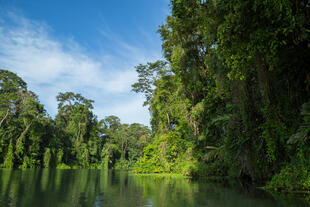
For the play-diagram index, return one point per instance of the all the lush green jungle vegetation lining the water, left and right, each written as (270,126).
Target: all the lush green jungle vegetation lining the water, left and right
(230,98)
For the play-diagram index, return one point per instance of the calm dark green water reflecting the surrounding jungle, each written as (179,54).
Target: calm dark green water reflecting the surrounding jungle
(115,188)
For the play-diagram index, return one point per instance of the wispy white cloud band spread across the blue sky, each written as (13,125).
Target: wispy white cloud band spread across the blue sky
(51,66)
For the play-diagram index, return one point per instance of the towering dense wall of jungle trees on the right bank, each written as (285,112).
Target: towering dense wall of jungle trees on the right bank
(231,97)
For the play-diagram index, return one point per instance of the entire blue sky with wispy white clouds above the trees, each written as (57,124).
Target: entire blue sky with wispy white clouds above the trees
(88,47)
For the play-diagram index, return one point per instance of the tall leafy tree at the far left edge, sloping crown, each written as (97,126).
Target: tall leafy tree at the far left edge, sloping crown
(22,114)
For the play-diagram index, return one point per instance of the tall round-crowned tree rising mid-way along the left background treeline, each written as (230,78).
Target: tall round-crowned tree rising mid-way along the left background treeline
(77,120)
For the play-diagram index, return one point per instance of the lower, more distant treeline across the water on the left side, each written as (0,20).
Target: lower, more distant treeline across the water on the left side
(29,138)
